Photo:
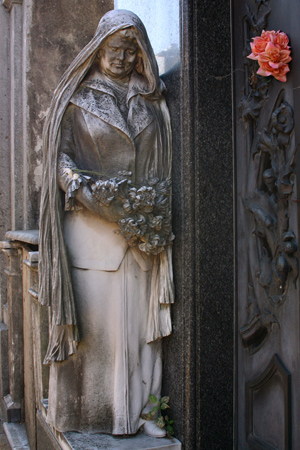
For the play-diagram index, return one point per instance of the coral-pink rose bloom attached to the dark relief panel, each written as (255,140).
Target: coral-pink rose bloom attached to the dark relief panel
(272,52)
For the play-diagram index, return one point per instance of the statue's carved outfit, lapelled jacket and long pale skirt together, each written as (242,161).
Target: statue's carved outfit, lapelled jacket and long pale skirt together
(105,386)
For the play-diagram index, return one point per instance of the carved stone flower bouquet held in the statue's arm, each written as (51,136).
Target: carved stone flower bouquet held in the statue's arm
(147,221)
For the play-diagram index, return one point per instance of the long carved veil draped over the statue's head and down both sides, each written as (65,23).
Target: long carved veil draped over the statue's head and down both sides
(55,281)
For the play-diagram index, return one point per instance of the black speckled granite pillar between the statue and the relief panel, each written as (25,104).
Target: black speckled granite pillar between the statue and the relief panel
(199,357)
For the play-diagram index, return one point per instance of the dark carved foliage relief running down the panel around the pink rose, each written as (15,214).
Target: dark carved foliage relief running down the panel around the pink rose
(272,266)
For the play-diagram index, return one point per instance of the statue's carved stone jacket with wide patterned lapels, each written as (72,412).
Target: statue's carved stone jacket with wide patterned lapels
(97,137)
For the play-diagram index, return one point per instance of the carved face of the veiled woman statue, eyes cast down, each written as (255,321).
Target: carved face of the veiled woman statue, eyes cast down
(118,56)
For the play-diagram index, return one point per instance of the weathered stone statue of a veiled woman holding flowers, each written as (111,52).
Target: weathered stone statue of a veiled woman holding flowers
(105,244)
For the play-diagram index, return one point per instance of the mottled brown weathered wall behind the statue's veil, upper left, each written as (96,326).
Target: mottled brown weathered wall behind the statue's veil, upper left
(55,33)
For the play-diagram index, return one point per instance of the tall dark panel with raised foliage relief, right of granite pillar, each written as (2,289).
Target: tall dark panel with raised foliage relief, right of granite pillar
(267,296)
